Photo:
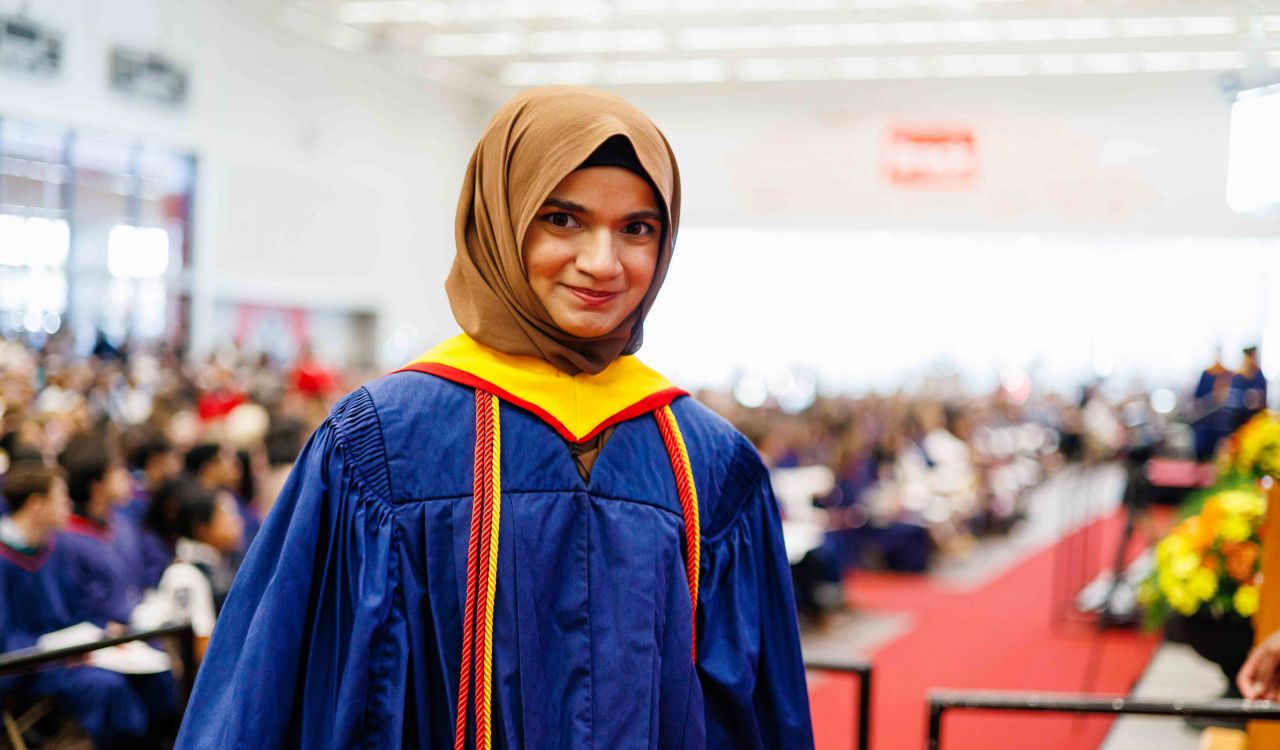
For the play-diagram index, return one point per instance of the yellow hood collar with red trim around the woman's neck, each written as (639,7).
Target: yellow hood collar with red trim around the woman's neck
(577,406)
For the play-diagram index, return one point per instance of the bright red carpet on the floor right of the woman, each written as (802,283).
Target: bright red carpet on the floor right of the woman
(1002,637)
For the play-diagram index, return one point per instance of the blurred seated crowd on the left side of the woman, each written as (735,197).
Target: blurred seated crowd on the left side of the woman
(134,483)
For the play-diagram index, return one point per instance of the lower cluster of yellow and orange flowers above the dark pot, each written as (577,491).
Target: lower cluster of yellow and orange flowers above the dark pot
(1210,561)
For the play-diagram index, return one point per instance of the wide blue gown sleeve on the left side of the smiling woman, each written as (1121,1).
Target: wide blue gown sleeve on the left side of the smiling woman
(309,648)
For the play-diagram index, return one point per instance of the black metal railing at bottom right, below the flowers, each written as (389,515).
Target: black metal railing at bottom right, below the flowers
(941,702)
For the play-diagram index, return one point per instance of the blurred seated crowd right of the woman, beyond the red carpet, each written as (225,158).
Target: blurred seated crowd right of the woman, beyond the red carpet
(897,482)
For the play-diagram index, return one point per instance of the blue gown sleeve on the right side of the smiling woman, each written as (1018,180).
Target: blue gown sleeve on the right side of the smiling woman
(748,637)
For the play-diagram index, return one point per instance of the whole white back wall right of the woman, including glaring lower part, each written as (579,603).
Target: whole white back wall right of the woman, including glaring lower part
(1100,198)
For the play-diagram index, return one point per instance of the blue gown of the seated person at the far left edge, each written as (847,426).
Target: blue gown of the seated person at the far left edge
(109,707)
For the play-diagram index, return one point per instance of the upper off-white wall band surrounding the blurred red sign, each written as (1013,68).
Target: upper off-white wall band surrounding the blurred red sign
(1094,154)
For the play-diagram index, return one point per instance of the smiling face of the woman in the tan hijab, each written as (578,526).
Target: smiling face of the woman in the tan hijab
(592,249)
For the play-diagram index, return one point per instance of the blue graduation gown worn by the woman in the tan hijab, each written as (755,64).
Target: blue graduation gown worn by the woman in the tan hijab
(345,625)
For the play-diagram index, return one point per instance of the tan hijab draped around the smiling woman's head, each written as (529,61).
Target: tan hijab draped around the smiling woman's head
(532,144)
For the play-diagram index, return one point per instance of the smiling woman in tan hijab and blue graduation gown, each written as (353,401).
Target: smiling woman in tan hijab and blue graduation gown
(527,538)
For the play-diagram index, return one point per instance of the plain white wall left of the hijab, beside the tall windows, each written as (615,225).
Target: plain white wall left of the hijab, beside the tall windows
(326,180)
